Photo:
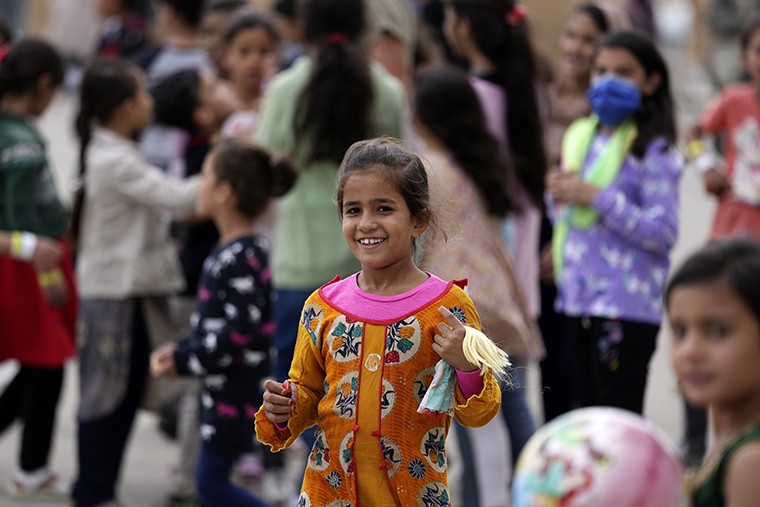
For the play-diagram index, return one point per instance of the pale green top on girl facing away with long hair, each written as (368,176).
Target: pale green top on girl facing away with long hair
(309,249)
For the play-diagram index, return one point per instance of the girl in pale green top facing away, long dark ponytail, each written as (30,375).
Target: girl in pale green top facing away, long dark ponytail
(313,112)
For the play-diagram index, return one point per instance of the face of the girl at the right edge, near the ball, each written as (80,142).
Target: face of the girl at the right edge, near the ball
(715,345)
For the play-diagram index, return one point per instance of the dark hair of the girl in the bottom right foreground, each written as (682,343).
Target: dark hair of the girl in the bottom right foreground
(734,261)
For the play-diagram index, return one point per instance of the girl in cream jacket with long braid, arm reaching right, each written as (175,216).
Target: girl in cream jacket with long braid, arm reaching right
(126,265)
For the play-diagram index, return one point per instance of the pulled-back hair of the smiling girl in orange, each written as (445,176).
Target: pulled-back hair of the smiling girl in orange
(400,165)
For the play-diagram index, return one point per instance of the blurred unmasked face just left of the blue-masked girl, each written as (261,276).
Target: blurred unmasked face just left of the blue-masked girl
(577,44)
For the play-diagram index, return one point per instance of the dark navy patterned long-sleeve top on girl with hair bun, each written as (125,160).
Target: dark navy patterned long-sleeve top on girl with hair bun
(230,341)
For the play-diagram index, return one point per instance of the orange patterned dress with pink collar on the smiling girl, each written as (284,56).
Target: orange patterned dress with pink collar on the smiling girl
(362,365)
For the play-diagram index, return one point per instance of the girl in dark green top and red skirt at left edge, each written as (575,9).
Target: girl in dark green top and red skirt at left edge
(37,294)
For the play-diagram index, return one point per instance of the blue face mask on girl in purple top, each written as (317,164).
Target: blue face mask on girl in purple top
(614,100)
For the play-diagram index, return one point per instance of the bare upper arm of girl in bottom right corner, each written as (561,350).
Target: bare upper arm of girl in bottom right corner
(741,487)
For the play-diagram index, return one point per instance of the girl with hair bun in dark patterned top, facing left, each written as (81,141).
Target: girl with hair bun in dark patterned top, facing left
(234,312)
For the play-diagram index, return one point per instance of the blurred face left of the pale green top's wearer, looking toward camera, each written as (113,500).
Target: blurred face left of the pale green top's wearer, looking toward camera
(249,59)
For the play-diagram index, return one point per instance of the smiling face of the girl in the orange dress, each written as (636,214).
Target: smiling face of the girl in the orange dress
(377,223)
